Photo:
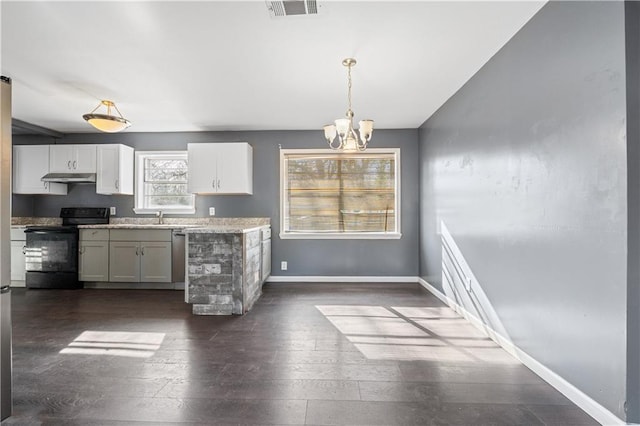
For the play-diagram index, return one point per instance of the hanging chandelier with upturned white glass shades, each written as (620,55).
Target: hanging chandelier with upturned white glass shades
(348,139)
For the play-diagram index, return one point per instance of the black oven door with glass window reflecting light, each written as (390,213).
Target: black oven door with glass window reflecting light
(51,249)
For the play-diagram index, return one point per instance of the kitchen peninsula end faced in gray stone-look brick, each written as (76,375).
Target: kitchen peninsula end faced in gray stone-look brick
(225,267)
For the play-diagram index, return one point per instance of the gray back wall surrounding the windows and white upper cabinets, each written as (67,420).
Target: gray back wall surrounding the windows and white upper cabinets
(304,257)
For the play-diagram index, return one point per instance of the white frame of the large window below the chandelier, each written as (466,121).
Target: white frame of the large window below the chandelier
(397,234)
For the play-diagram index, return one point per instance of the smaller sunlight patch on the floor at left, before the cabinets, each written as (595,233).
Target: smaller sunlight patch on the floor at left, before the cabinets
(115,343)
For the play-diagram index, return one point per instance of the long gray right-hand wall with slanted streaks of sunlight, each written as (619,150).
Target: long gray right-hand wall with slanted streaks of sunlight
(526,168)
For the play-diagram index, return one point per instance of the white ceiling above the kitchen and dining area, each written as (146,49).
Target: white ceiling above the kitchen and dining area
(214,65)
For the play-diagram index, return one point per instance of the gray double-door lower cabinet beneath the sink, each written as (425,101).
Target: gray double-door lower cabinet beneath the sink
(140,256)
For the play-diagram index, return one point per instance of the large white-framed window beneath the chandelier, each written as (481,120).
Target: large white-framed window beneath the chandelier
(329,194)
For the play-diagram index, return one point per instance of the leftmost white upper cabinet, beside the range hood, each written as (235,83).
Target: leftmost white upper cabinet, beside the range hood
(30,163)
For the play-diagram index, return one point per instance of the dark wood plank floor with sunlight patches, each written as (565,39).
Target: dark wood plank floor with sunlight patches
(316,354)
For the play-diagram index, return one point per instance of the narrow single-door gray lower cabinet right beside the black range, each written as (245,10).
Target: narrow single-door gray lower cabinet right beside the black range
(93,255)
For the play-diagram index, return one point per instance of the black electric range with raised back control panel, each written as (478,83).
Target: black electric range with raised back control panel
(51,252)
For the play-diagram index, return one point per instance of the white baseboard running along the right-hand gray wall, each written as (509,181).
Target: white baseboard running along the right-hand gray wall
(575,395)
